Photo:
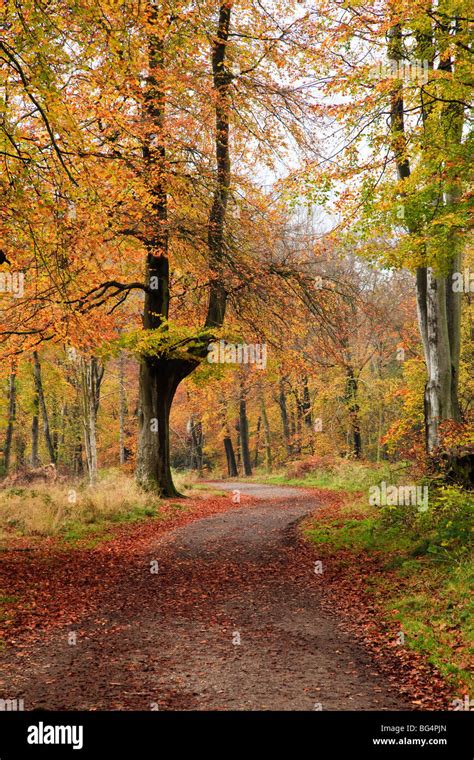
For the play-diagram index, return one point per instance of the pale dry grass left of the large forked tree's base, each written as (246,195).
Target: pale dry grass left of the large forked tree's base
(47,509)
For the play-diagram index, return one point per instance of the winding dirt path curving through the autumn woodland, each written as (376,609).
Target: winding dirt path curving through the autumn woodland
(231,620)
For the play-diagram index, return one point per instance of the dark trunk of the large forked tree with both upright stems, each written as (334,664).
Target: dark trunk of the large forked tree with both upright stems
(160,376)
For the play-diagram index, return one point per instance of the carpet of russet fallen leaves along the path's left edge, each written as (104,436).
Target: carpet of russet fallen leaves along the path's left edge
(45,583)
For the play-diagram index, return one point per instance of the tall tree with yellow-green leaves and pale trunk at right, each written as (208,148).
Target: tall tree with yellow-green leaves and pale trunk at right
(405,148)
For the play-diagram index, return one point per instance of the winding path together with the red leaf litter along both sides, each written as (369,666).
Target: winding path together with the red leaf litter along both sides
(222,606)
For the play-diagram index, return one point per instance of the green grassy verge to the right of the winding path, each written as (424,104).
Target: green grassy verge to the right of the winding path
(427,571)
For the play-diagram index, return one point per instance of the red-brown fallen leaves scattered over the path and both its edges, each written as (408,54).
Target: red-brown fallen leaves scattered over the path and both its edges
(106,590)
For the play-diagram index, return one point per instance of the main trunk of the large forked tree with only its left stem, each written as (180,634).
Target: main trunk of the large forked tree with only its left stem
(159,377)
